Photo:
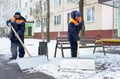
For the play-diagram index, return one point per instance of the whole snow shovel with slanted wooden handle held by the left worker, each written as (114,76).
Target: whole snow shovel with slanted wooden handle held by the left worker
(29,62)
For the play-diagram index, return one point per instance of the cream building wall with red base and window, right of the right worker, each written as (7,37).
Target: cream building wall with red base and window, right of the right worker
(98,19)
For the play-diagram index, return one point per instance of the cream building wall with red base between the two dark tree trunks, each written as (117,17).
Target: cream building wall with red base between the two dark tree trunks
(59,16)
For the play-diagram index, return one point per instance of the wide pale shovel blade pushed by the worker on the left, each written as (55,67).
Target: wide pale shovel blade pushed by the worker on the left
(31,62)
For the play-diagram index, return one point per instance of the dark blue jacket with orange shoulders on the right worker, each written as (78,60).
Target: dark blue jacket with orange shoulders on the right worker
(74,28)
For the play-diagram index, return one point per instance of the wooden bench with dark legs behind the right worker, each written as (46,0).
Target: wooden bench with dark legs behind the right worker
(63,43)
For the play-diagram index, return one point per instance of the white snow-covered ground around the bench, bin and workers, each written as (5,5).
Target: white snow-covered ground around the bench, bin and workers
(106,67)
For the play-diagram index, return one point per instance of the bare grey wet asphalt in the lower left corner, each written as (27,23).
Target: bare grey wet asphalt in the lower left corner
(12,71)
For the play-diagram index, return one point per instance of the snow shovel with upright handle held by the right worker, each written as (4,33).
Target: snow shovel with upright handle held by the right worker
(77,65)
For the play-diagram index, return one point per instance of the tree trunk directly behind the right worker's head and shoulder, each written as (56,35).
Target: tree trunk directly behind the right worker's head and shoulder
(81,8)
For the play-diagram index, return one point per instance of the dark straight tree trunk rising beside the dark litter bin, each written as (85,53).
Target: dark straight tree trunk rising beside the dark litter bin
(48,21)
